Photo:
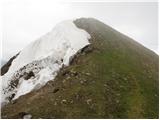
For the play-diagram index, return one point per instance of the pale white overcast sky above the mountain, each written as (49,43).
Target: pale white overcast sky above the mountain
(27,20)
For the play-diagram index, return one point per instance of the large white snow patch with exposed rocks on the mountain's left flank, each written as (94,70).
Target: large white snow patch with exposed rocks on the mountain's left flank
(40,61)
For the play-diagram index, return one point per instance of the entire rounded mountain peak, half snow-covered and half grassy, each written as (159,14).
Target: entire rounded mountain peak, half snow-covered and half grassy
(81,69)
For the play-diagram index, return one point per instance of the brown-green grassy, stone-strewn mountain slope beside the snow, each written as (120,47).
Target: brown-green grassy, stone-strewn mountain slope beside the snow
(117,79)
